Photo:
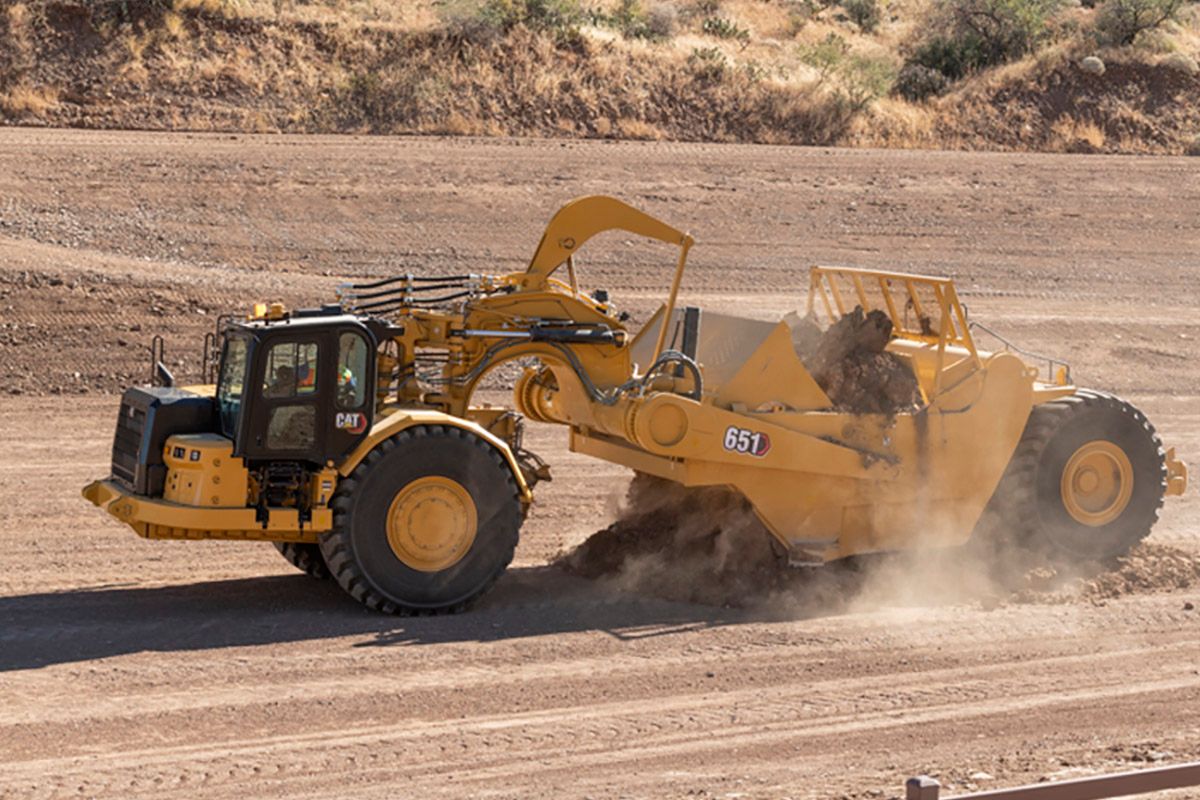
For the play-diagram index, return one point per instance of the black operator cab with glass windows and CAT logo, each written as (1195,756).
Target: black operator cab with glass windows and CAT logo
(297,389)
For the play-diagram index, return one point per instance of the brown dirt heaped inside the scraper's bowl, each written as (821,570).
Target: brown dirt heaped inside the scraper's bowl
(849,363)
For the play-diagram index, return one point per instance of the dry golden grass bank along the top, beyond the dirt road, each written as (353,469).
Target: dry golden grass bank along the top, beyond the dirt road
(380,67)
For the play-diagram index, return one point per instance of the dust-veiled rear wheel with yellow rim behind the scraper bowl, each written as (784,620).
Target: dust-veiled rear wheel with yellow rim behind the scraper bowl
(1087,482)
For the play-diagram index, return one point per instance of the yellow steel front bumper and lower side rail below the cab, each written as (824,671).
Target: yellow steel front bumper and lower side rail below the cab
(157,519)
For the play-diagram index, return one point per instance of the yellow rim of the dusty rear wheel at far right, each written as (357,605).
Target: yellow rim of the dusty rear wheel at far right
(1097,484)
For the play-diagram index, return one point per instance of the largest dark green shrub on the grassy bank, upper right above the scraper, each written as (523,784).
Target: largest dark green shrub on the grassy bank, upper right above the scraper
(969,35)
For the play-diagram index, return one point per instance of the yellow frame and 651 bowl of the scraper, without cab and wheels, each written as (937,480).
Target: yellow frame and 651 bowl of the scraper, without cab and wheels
(825,482)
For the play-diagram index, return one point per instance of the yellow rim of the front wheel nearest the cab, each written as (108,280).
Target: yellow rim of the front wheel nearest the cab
(431,524)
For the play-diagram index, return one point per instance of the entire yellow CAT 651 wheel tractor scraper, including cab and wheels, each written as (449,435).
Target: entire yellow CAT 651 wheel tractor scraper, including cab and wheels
(346,435)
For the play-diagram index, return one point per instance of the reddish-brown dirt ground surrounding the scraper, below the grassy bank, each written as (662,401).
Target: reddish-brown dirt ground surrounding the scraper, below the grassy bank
(197,670)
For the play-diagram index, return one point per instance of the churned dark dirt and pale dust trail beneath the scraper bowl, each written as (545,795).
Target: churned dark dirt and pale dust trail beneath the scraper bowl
(707,546)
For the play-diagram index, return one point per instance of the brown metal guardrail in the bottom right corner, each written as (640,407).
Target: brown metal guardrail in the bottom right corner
(1100,787)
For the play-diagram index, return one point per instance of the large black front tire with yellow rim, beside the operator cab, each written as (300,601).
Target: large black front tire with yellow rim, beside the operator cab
(369,557)
